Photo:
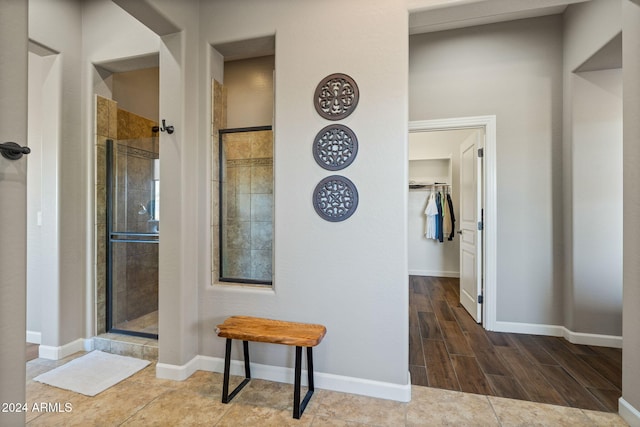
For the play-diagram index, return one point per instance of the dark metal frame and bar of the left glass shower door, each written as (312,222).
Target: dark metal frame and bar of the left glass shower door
(118,237)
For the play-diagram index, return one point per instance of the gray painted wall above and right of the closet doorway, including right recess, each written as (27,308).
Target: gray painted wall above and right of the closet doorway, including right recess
(562,275)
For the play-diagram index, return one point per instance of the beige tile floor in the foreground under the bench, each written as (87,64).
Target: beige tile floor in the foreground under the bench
(144,400)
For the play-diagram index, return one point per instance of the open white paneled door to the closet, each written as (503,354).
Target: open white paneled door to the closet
(470,219)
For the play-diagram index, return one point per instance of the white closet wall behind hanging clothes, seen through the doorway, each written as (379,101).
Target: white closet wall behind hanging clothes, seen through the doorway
(426,256)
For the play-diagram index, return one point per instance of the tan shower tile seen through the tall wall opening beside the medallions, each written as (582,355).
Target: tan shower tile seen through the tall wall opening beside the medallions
(249,209)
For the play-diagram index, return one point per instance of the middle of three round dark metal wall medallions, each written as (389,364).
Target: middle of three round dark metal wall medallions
(335,147)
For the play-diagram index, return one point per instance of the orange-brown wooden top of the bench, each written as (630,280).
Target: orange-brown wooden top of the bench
(271,331)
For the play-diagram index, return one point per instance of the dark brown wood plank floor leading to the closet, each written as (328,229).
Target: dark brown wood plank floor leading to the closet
(448,350)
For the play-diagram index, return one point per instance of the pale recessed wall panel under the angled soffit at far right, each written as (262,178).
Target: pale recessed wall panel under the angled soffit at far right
(597,202)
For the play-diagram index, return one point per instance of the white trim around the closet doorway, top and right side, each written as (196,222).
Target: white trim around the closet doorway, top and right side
(489,308)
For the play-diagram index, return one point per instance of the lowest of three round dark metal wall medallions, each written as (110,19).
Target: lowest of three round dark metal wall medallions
(335,198)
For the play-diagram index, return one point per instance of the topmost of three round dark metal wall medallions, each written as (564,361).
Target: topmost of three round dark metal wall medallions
(336,96)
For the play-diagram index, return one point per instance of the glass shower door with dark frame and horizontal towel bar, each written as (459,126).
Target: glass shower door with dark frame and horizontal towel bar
(133,222)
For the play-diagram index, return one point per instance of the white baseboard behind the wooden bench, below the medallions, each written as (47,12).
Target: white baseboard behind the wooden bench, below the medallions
(382,390)
